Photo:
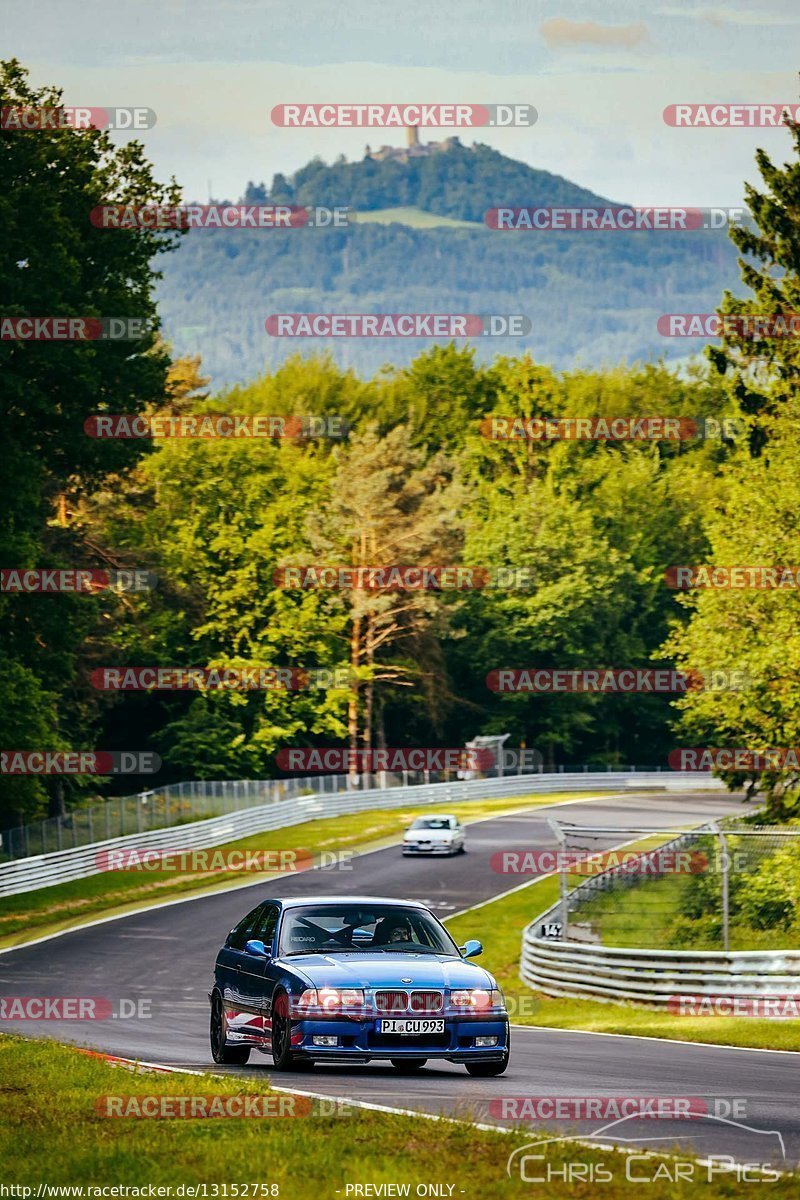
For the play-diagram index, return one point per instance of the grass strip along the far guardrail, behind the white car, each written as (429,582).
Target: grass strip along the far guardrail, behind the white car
(113,893)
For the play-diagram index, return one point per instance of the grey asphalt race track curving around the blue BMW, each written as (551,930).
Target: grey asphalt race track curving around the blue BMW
(142,956)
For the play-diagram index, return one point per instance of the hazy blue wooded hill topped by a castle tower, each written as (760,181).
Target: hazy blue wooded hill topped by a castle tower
(418,243)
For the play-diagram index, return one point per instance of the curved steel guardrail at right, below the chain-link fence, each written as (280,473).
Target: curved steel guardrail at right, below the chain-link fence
(652,977)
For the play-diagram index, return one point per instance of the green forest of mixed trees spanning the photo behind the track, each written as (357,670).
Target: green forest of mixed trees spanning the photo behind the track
(411,478)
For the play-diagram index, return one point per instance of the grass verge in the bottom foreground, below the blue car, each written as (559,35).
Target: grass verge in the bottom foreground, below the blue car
(52,1133)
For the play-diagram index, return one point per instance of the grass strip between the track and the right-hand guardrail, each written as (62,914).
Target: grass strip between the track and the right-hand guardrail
(500,926)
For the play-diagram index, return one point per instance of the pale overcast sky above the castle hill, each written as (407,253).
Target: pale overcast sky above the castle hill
(600,76)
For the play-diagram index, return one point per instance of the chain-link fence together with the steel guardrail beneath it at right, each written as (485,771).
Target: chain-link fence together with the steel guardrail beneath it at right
(563,953)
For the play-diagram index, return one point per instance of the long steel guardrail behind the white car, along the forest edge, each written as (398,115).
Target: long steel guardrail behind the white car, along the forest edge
(45,871)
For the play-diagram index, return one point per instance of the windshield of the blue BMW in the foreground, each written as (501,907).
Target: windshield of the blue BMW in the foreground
(353,928)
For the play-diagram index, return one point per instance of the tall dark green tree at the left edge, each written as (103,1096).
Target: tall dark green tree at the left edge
(55,262)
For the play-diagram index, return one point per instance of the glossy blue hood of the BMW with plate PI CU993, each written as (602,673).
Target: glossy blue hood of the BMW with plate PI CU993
(388,971)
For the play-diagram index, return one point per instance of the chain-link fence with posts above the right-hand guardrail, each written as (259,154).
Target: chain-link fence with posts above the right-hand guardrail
(725,886)
